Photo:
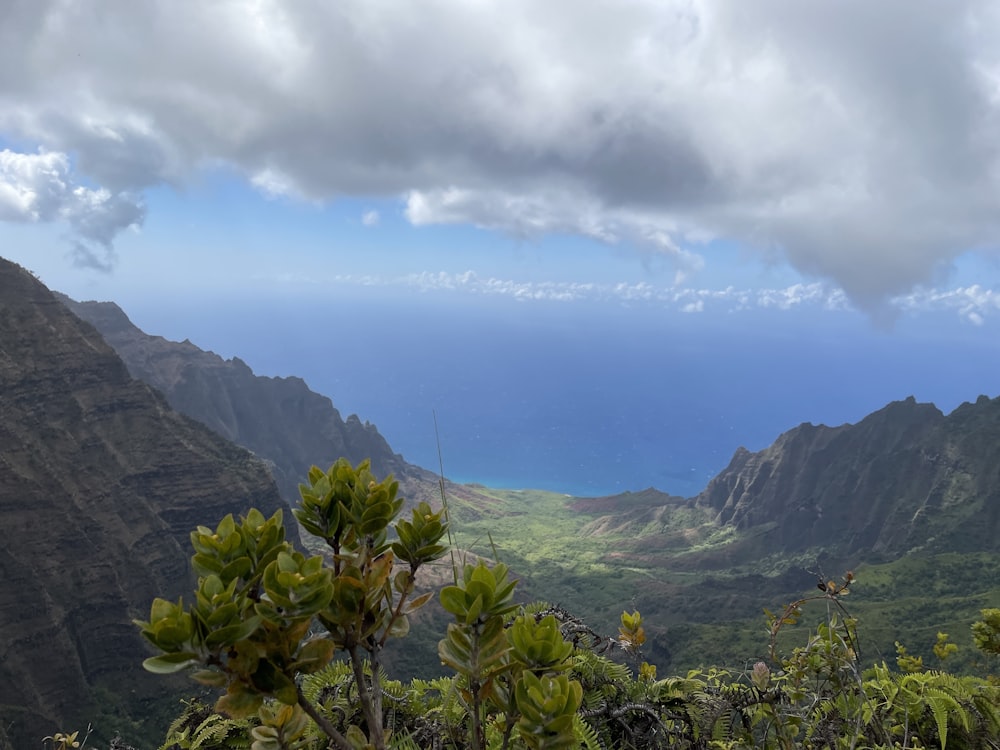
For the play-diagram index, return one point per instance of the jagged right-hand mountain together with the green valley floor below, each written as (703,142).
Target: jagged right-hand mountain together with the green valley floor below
(909,498)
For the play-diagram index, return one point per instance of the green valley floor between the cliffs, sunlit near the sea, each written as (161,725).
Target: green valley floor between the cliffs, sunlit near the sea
(700,606)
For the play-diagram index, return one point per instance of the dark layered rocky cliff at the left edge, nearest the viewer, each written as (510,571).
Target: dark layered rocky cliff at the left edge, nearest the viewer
(101,483)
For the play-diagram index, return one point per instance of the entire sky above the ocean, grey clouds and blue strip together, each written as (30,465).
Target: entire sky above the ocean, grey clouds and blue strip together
(694,158)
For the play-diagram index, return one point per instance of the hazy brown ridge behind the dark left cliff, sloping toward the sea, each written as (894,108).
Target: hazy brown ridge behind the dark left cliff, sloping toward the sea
(279,419)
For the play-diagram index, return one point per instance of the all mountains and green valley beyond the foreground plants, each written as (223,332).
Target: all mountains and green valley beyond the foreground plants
(114,444)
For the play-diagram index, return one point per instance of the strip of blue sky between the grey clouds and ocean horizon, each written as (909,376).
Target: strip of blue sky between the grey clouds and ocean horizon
(221,236)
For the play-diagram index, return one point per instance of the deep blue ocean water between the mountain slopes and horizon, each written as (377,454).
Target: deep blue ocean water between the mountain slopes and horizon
(592,400)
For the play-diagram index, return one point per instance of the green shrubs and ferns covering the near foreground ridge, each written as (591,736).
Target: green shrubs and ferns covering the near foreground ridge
(296,643)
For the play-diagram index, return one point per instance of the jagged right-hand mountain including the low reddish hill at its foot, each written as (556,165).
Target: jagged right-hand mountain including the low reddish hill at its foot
(905,478)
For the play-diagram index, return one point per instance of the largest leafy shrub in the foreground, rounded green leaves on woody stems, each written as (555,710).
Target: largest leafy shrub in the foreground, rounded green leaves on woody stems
(265,615)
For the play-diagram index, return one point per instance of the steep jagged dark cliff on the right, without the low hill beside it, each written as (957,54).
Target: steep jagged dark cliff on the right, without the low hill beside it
(904,477)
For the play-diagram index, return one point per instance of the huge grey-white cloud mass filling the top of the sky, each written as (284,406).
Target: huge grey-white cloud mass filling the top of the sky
(856,139)
